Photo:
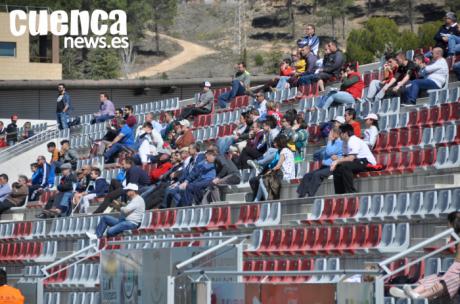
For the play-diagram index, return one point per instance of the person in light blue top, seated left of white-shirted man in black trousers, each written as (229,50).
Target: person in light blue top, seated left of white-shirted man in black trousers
(311,181)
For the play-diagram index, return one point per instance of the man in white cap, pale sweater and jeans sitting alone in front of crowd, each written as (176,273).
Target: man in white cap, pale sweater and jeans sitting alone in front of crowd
(131,215)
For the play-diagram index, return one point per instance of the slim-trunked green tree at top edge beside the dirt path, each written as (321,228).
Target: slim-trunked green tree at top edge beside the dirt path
(163,14)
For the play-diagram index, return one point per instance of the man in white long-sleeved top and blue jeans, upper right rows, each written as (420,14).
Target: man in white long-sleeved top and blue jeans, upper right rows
(436,75)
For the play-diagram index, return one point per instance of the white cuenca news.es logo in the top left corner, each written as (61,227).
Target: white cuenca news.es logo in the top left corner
(76,29)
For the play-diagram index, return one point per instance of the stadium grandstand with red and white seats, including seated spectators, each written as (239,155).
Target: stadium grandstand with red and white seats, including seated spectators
(330,183)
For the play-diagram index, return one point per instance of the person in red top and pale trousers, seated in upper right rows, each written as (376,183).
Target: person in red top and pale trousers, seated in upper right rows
(378,88)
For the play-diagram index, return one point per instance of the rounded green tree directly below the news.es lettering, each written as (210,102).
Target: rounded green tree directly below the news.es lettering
(103,64)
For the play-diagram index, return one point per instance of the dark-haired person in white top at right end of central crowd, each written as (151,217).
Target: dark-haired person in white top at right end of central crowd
(267,186)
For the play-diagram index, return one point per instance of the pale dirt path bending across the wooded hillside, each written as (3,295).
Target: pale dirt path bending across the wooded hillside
(190,52)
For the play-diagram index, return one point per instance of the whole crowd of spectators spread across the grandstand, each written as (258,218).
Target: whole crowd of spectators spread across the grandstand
(160,164)
